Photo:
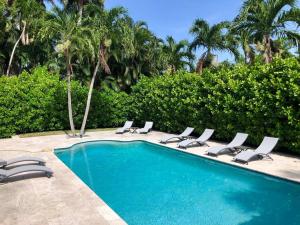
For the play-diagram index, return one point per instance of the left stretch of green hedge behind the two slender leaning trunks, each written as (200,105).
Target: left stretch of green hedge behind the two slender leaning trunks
(38,102)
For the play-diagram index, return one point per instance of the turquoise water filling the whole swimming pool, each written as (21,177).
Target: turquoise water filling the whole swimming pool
(148,184)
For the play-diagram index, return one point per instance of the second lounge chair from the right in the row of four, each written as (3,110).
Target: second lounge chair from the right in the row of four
(233,146)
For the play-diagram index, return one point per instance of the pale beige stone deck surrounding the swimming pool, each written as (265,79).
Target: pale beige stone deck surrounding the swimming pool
(65,200)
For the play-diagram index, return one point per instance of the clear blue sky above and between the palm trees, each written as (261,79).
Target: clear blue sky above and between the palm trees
(175,17)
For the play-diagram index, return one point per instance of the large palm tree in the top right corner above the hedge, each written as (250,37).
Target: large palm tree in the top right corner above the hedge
(267,19)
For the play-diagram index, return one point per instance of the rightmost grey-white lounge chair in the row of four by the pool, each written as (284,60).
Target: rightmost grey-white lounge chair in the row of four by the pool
(263,150)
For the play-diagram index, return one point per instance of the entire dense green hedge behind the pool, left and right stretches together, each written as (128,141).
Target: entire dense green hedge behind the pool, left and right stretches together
(262,99)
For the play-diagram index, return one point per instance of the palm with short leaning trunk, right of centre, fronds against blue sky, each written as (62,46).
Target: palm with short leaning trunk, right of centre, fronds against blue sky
(212,38)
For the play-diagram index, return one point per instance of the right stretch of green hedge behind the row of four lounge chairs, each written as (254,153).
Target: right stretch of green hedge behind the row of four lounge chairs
(260,100)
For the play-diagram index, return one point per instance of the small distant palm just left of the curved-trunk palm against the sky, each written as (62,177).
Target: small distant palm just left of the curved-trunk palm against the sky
(177,54)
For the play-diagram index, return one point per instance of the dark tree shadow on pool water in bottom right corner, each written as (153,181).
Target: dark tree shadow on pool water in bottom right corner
(264,208)
